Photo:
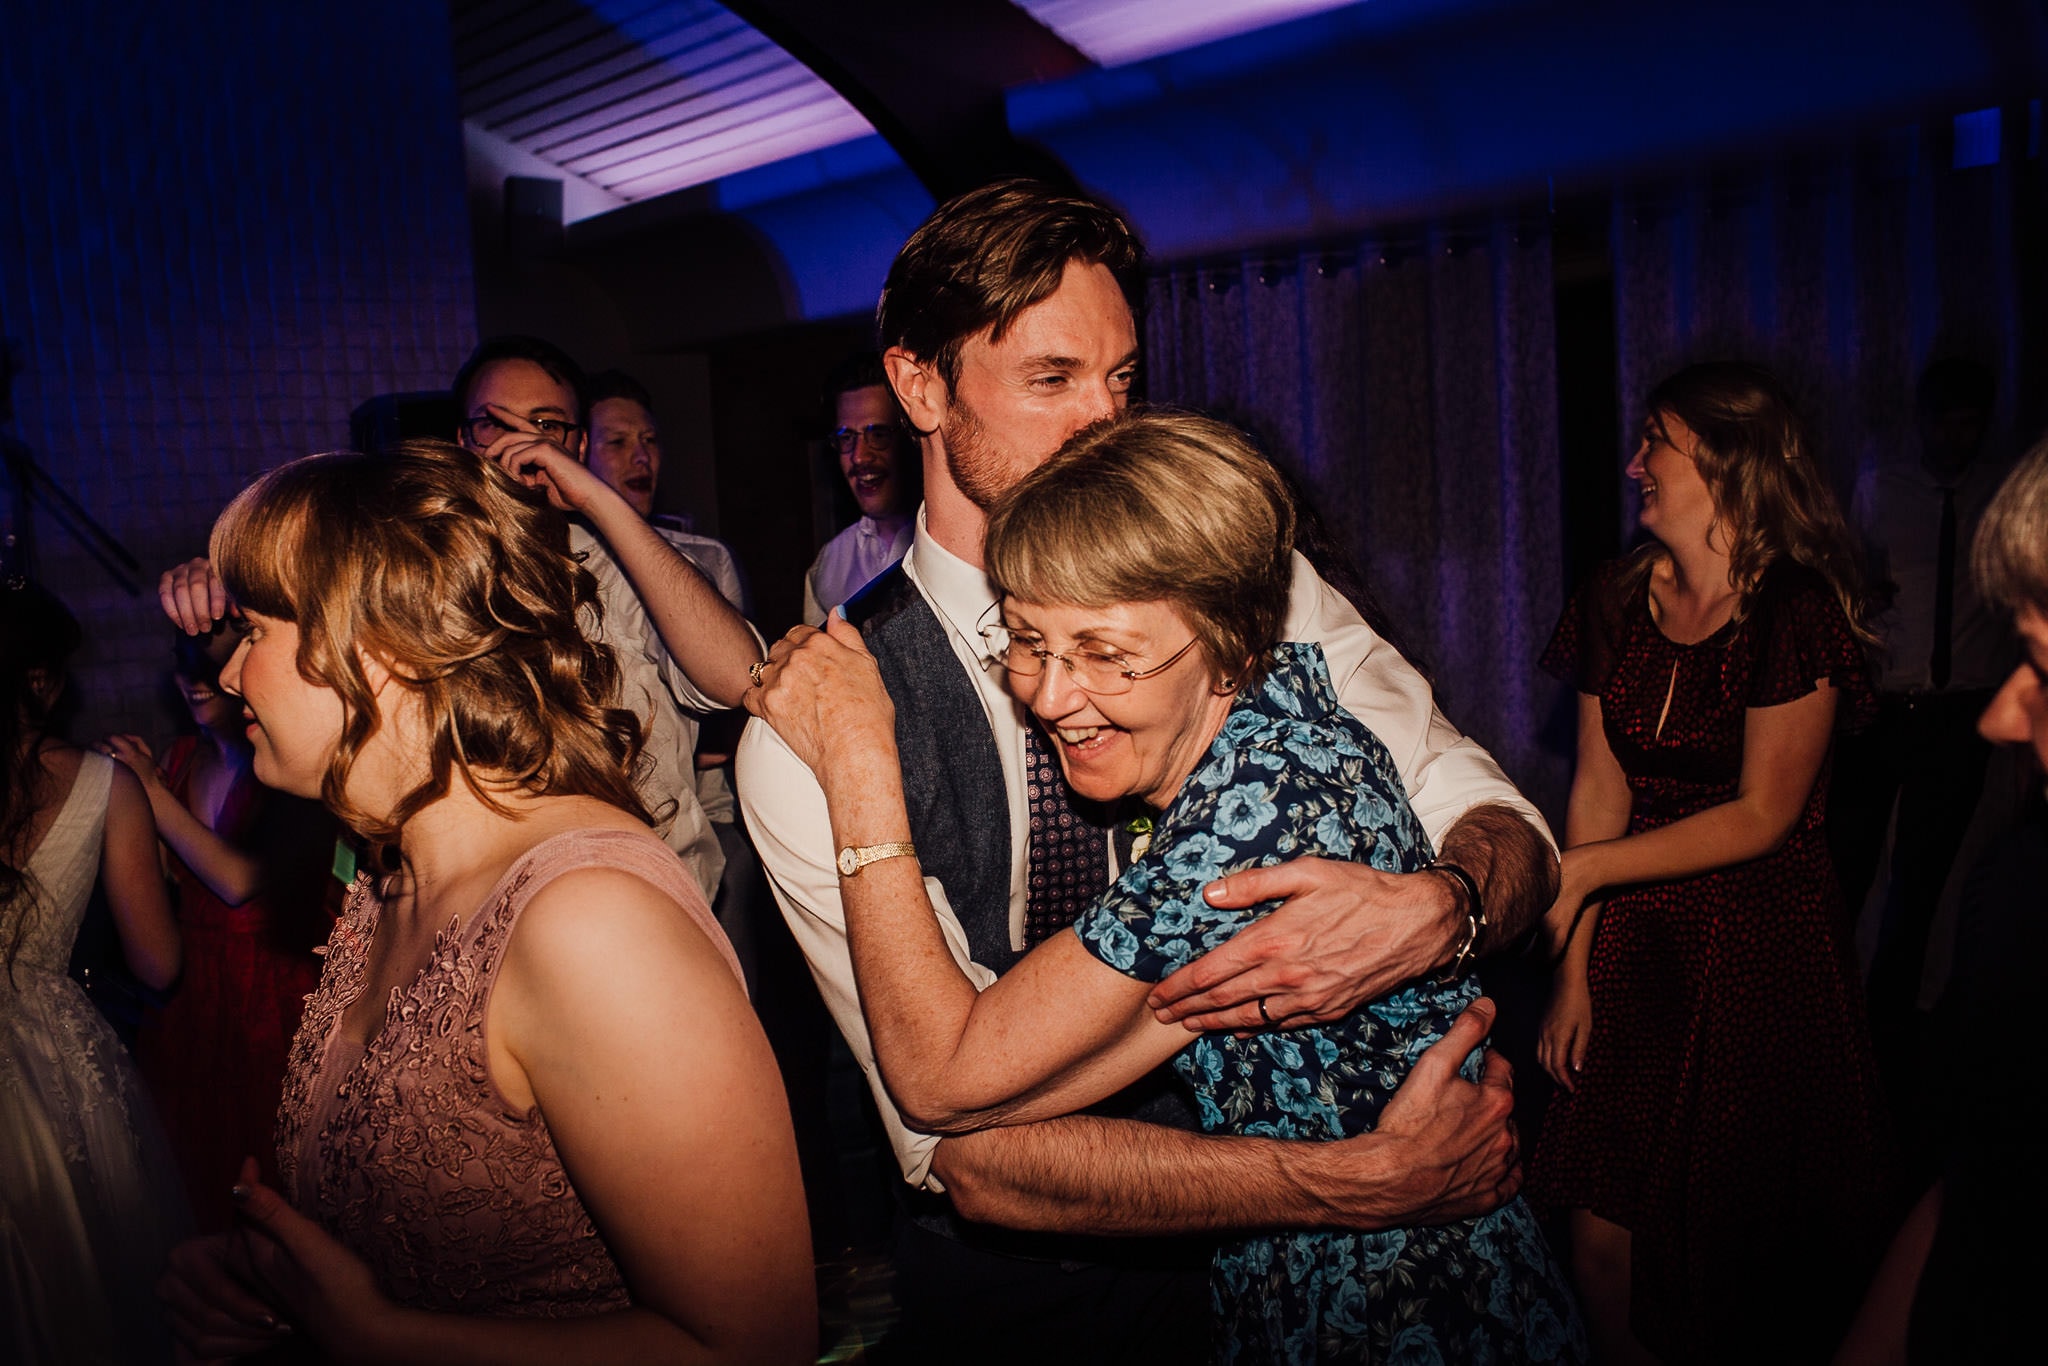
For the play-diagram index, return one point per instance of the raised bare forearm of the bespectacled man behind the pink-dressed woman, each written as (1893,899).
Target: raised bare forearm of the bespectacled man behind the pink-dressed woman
(703,634)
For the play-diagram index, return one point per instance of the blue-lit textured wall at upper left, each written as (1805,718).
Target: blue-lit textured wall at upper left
(224,226)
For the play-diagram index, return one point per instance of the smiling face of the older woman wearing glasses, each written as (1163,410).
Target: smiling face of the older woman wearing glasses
(1129,744)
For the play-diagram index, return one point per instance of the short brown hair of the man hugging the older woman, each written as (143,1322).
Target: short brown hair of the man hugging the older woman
(986,257)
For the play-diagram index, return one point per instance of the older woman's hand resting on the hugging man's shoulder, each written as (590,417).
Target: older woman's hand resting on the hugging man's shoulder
(824,695)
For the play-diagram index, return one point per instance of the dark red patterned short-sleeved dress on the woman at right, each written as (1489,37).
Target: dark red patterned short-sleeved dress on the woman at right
(1730,1109)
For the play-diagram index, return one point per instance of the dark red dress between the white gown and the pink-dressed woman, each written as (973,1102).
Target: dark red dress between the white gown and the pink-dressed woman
(214,1058)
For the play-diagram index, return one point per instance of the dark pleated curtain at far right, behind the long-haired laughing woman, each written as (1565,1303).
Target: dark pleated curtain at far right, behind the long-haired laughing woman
(1848,275)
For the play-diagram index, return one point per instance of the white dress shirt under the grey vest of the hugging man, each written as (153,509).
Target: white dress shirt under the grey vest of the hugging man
(1445,775)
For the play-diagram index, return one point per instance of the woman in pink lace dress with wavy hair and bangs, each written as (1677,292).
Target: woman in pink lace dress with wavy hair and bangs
(495,1140)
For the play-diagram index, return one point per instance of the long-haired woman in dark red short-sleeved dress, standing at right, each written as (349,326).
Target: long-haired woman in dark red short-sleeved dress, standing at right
(1717,1144)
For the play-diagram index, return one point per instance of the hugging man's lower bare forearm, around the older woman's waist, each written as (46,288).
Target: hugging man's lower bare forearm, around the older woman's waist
(1125,1179)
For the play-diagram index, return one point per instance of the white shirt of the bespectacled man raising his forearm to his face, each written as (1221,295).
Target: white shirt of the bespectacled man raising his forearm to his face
(654,689)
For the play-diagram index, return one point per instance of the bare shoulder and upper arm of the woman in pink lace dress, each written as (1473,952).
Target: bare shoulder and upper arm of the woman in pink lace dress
(634,1037)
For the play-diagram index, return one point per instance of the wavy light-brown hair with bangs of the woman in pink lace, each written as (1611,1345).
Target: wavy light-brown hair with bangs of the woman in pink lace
(462,585)
